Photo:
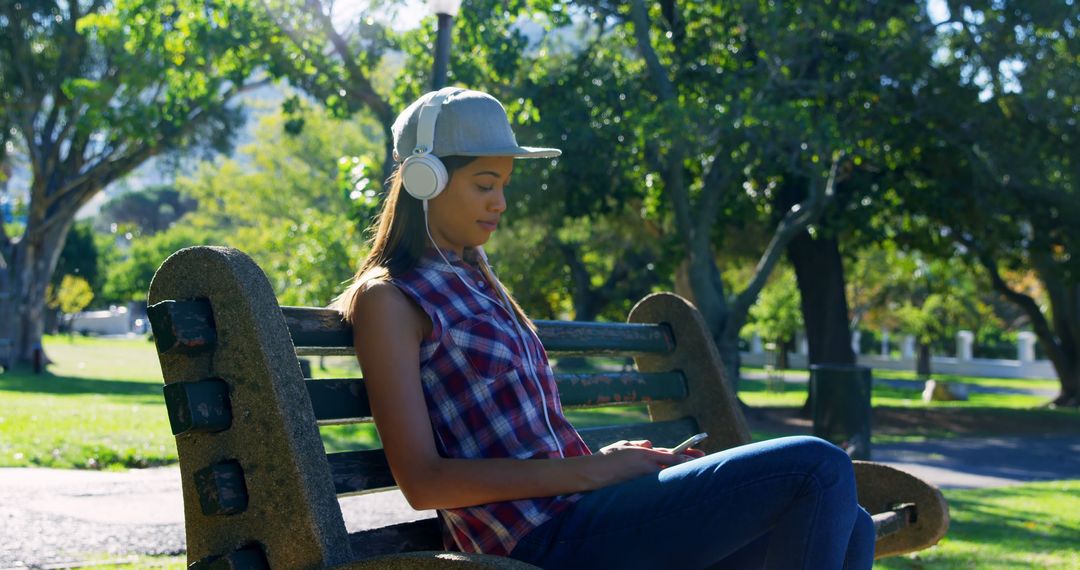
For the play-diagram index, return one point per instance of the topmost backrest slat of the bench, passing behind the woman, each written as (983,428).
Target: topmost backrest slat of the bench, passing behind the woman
(320,332)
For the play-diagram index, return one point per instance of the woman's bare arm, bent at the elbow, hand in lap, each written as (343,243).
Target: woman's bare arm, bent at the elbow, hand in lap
(388,347)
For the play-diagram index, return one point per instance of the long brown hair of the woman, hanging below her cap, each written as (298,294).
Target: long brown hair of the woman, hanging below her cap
(399,241)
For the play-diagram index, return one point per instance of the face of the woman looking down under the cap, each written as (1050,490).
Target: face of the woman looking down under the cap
(468,211)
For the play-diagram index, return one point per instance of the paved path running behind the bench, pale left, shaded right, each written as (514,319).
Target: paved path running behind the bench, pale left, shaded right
(55,518)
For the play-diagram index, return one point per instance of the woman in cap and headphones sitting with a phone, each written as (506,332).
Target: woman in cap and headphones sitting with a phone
(469,415)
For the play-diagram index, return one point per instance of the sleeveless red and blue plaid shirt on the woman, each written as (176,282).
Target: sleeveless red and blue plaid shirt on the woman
(482,400)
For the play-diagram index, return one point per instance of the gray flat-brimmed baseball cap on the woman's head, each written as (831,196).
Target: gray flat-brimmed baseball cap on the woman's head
(470,124)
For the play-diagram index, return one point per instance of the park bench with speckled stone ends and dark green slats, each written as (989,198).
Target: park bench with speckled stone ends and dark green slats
(261,492)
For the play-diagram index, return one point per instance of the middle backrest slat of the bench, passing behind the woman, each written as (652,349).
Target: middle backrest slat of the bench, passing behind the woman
(345,401)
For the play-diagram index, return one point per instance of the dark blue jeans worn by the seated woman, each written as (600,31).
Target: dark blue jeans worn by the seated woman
(782,504)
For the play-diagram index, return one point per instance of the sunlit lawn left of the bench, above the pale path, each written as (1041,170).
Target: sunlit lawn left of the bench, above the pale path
(99,406)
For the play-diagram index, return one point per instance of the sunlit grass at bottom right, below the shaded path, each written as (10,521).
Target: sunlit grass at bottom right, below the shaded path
(1028,526)
